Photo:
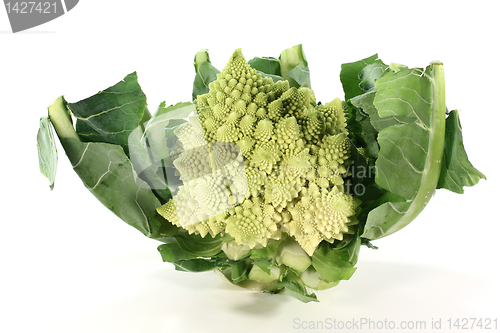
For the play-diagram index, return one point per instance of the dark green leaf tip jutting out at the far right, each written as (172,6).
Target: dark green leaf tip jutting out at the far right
(456,170)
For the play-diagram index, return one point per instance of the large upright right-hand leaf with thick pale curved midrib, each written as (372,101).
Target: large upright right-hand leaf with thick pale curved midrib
(409,161)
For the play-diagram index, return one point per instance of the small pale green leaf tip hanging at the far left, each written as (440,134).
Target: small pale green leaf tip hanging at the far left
(47,152)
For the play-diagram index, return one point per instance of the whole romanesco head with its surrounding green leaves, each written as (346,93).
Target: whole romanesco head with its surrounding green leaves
(258,180)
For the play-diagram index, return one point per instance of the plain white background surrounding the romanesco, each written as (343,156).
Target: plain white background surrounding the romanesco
(69,265)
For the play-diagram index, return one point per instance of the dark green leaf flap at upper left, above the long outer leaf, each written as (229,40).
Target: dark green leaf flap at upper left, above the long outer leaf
(112,114)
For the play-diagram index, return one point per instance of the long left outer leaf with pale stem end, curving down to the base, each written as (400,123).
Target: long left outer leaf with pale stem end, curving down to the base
(107,172)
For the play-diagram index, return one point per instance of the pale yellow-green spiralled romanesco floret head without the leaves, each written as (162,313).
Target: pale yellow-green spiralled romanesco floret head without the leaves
(276,163)
